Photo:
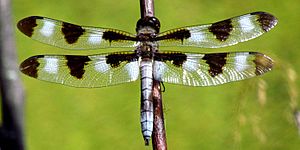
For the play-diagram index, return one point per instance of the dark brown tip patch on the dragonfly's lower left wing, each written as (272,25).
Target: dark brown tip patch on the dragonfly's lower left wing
(30,66)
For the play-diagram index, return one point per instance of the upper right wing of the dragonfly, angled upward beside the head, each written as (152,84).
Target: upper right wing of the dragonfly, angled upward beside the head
(220,34)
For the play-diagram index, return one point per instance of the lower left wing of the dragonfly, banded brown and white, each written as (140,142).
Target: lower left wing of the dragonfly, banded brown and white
(83,71)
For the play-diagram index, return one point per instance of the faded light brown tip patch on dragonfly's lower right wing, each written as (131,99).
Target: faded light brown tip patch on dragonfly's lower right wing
(262,63)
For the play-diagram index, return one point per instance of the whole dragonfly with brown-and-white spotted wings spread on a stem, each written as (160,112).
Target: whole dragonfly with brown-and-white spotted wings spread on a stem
(146,62)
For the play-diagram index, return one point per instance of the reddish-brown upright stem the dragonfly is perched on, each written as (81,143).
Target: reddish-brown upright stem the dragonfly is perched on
(159,134)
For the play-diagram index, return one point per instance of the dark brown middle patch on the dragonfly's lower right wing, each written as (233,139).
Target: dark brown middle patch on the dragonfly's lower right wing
(216,62)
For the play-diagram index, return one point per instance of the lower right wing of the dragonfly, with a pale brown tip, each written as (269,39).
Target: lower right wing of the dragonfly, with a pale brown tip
(194,69)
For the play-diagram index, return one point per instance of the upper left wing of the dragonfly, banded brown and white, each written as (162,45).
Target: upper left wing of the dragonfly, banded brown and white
(70,36)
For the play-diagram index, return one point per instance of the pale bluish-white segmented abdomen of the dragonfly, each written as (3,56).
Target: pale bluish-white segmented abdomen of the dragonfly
(146,100)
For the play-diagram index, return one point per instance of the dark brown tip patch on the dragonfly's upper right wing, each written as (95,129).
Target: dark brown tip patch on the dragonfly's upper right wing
(266,21)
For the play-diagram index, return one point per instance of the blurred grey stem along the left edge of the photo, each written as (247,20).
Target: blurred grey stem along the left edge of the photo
(11,131)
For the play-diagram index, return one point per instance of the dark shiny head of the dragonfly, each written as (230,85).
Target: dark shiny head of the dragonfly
(148,22)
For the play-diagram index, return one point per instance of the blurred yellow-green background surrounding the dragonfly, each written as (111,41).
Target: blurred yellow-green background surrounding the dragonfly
(251,114)
